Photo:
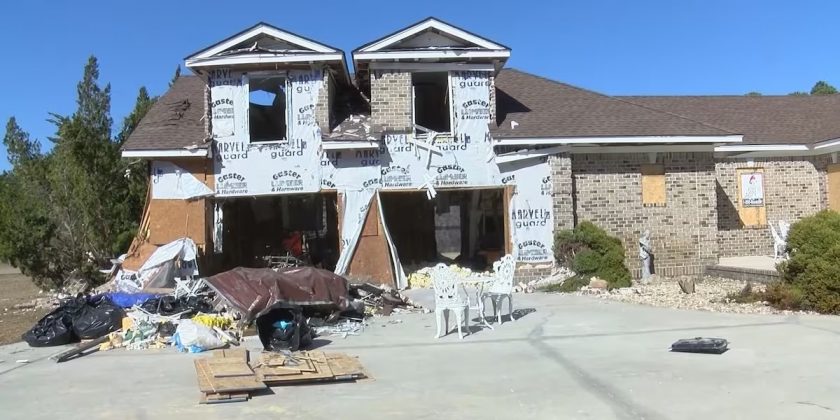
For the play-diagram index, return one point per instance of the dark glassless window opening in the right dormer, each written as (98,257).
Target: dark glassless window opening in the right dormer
(431,105)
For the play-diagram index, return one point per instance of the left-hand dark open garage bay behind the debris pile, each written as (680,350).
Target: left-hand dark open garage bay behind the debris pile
(261,231)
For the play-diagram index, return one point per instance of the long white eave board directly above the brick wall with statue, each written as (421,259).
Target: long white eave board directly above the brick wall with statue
(617,140)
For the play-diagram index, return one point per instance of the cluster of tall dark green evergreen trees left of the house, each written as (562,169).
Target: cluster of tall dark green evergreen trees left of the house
(67,212)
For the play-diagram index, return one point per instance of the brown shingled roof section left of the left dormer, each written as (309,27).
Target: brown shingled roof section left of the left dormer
(175,120)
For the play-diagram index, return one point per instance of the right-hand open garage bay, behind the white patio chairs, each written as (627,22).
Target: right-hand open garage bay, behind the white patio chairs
(464,227)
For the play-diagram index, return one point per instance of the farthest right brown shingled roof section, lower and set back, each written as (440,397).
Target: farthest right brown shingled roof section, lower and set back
(761,119)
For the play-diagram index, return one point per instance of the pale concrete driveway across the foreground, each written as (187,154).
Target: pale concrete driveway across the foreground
(572,358)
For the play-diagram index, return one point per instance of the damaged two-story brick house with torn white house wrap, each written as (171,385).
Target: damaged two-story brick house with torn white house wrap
(434,151)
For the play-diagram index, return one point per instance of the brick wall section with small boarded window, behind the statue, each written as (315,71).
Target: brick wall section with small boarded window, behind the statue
(607,192)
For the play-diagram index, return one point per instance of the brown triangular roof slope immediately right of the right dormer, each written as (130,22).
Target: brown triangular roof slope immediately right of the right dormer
(545,108)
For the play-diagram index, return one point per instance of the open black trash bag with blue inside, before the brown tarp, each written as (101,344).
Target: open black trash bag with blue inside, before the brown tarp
(284,328)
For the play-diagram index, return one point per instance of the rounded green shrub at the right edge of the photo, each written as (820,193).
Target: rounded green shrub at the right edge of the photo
(811,275)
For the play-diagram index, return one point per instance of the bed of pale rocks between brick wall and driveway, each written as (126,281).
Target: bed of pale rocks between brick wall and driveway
(710,294)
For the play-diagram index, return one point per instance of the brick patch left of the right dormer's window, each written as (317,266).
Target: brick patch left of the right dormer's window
(390,99)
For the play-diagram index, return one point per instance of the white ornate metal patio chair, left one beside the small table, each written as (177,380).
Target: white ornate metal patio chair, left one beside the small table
(450,295)
